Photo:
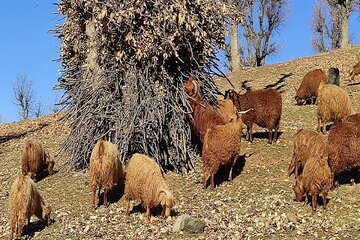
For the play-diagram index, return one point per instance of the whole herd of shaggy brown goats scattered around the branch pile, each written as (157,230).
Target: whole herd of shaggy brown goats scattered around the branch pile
(316,159)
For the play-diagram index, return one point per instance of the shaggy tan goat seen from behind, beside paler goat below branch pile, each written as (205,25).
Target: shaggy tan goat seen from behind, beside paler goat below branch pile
(106,170)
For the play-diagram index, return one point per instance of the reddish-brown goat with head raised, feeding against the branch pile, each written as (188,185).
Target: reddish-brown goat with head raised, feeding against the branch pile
(204,115)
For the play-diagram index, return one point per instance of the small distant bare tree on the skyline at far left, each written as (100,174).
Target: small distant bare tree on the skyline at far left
(23,95)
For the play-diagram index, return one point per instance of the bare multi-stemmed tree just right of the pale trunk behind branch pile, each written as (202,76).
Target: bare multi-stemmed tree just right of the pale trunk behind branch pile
(262,18)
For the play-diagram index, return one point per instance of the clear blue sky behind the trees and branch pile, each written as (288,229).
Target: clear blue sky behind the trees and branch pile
(26,46)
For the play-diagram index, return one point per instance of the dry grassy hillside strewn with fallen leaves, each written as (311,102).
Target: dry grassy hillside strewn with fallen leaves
(257,205)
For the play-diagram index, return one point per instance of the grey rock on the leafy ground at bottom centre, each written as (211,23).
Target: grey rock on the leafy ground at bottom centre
(189,224)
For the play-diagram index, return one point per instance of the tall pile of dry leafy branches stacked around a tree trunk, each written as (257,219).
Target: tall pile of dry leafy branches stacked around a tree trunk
(123,67)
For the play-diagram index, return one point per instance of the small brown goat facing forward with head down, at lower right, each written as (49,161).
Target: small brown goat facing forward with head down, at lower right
(315,179)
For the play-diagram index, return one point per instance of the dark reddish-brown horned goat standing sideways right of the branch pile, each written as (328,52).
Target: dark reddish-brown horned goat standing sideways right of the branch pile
(266,109)
